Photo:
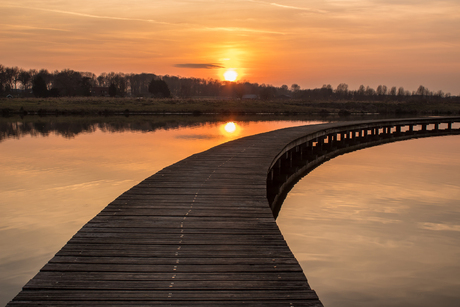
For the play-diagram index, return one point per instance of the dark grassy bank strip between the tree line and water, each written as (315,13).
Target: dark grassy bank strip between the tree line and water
(113,106)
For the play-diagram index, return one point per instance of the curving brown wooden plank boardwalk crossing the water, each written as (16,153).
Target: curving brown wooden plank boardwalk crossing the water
(200,232)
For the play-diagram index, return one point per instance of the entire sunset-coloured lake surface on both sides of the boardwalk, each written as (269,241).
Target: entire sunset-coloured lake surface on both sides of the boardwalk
(370,231)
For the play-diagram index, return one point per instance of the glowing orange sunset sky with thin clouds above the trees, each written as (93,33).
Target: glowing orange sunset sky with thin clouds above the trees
(311,43)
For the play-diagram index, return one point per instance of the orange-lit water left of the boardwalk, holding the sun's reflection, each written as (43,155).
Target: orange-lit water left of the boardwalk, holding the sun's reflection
(56,176)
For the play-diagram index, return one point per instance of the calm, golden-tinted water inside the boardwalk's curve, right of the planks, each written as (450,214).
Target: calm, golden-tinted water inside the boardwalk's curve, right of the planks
(381,226)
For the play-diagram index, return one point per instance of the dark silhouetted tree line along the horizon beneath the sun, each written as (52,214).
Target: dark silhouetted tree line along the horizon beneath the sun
(42,83)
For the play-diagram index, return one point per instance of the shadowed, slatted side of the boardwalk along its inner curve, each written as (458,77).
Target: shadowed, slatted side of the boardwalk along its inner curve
(304,154)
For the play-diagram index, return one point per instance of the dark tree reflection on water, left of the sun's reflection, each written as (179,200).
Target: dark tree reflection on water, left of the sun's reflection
(70,127)
